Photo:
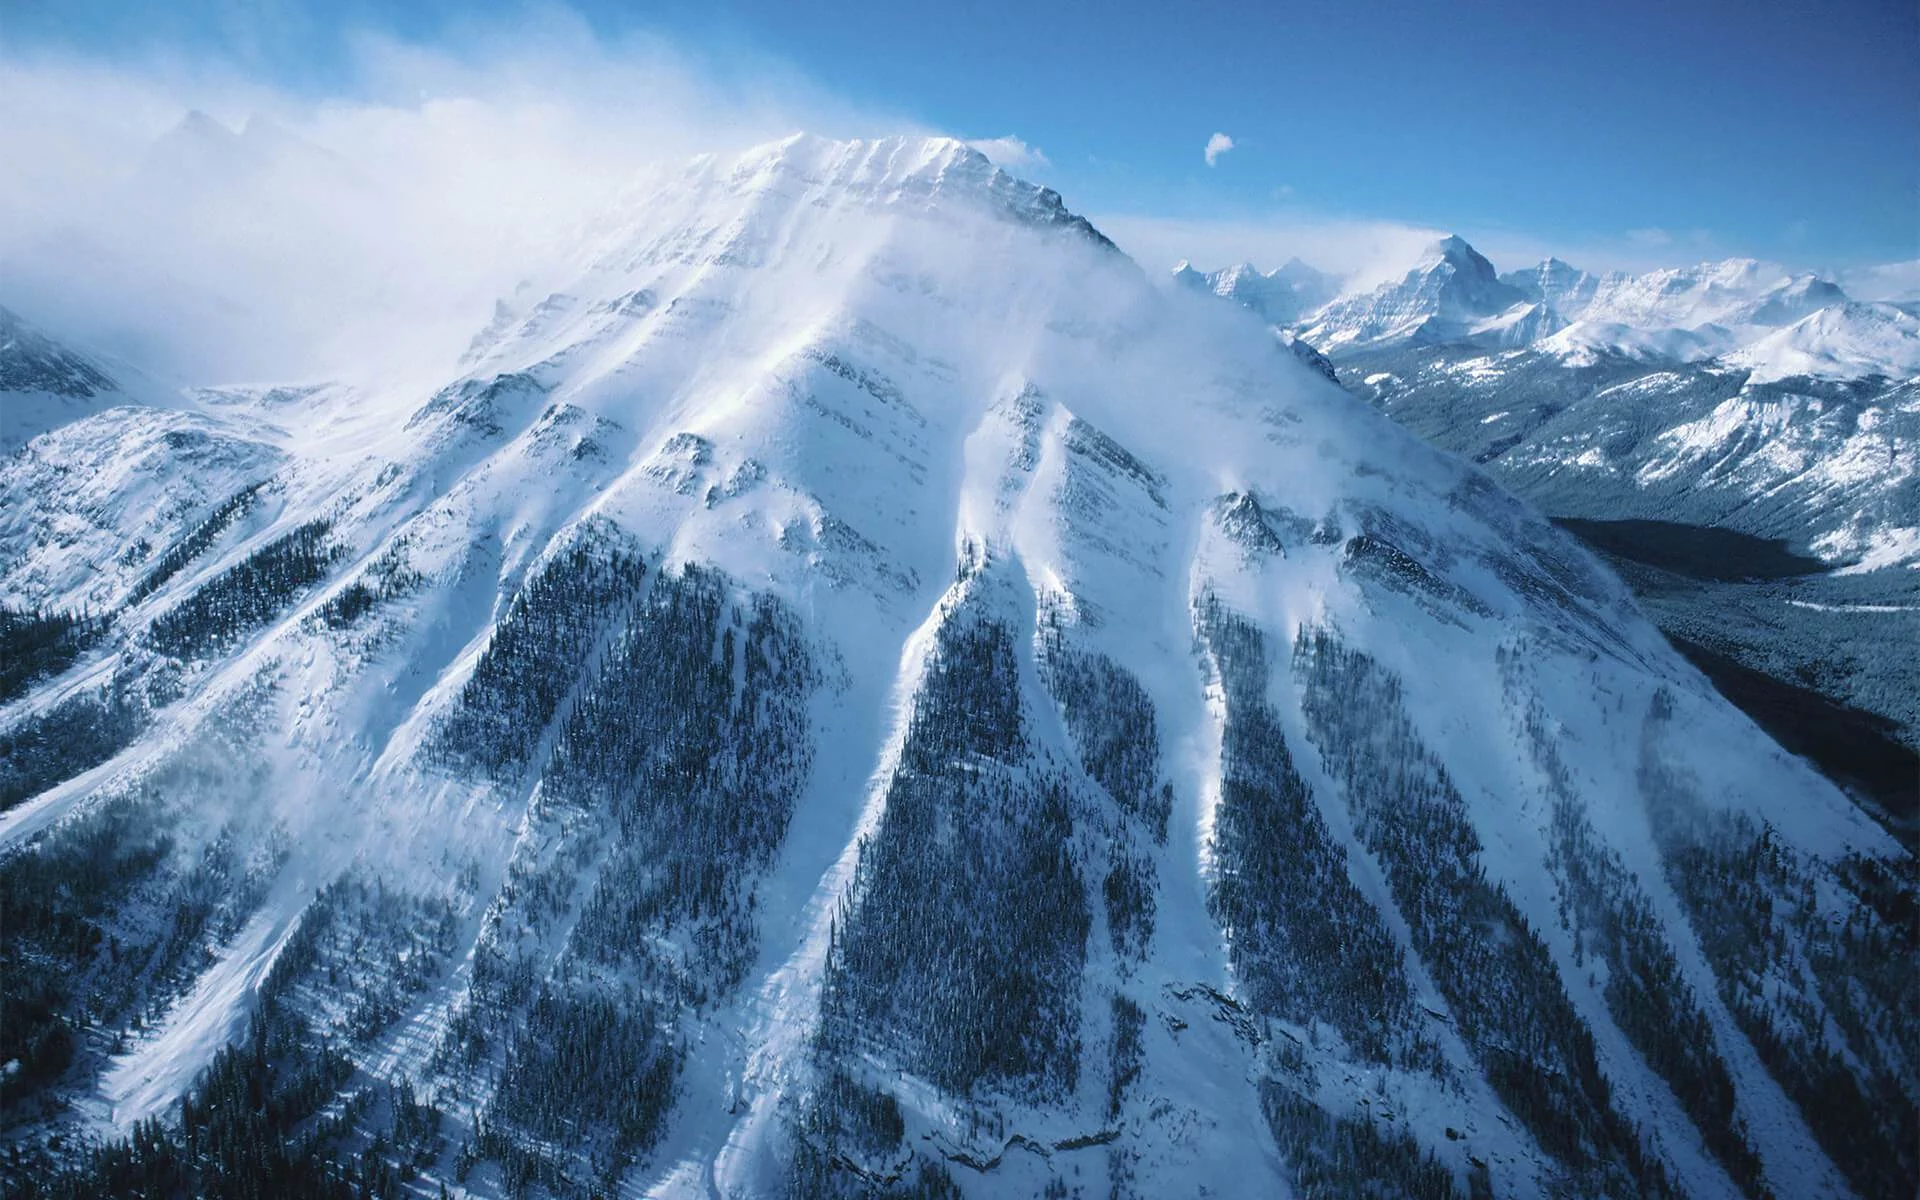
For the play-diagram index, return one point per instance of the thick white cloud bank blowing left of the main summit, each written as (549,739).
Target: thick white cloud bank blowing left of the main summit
(360,233)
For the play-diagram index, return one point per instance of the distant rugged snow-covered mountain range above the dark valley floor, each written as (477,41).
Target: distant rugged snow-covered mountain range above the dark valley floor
(1545,368)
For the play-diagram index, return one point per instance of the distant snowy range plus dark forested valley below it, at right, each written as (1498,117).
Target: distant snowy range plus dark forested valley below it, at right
(1740,443)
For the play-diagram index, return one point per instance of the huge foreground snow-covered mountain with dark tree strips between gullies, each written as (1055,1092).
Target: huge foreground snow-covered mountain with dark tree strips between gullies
(865,694)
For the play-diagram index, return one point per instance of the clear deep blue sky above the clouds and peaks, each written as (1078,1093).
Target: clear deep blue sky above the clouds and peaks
(1656,132)
